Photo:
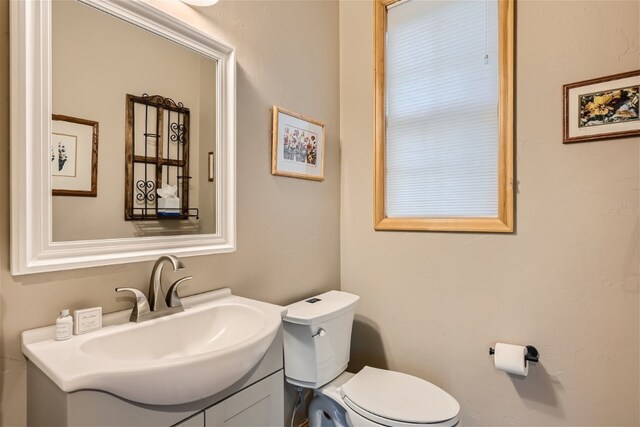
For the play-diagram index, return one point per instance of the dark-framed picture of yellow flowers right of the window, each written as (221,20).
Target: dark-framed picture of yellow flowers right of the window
(602,108)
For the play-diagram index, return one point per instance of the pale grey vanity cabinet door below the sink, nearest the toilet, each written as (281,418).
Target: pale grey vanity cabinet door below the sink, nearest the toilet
(259,405)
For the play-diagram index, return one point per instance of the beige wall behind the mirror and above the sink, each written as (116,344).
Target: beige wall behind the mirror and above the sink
(288,229)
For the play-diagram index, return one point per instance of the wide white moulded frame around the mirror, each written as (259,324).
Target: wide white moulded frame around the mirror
(32,248)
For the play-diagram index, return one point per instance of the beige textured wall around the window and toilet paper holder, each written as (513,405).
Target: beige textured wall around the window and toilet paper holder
(565,281)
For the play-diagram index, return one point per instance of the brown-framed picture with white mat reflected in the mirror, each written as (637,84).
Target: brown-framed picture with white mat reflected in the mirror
(74,156)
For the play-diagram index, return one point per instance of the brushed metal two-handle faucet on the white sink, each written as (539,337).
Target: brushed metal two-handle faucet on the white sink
(158,305)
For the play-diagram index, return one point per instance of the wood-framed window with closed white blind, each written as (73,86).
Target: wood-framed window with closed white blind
(444,115)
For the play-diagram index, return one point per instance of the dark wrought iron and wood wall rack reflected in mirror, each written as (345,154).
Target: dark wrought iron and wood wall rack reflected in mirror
(157,159)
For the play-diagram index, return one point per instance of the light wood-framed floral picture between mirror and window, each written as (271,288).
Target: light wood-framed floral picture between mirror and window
(297,145)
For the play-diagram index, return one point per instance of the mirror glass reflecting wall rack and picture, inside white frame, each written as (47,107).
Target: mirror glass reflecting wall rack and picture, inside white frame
(133,131)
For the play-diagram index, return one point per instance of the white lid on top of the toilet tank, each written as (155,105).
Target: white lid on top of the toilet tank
(319,308)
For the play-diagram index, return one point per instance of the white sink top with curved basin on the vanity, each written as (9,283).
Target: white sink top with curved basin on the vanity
(175,359)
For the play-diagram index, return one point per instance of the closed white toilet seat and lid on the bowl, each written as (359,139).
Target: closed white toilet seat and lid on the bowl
(396,399)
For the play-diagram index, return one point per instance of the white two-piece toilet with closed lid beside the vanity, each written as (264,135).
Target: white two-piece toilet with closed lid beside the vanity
(317,341)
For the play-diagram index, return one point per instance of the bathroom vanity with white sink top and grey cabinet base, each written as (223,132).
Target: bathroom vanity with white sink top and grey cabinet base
(116,377)
